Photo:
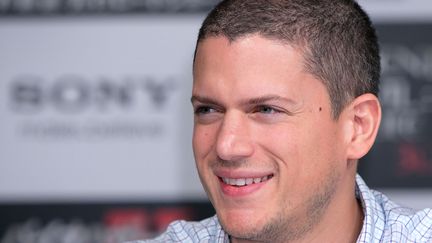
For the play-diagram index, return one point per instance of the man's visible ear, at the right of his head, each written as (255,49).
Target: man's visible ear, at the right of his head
(365,117)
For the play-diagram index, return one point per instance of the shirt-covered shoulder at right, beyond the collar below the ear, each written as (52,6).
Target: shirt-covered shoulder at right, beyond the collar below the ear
(402,222)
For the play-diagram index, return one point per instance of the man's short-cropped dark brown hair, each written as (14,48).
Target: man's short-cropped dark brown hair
(338,41)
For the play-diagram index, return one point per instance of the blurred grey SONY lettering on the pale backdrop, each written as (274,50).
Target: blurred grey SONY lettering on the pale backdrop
(29,94)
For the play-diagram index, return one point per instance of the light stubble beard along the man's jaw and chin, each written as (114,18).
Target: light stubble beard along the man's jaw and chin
(288,228)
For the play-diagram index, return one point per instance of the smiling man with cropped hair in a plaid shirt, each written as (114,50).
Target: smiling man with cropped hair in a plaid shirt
(285,99)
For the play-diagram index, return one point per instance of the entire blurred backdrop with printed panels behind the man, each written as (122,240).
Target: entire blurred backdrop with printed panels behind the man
(96,121)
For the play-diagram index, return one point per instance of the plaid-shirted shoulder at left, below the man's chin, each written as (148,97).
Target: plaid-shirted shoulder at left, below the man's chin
(207,230)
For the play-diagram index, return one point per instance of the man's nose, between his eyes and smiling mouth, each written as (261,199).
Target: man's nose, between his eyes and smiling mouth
(233,141)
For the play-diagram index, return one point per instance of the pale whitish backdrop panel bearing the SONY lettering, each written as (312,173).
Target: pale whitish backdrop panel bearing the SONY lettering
(63,136)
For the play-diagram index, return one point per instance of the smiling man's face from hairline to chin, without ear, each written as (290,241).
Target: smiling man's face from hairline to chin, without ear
(269,154)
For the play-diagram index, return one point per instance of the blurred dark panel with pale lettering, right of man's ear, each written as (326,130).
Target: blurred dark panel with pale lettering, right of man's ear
(402,156)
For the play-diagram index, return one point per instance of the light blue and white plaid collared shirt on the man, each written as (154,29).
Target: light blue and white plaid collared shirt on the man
(384,221)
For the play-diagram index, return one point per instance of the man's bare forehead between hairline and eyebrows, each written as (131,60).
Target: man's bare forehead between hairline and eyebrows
(250,65)
